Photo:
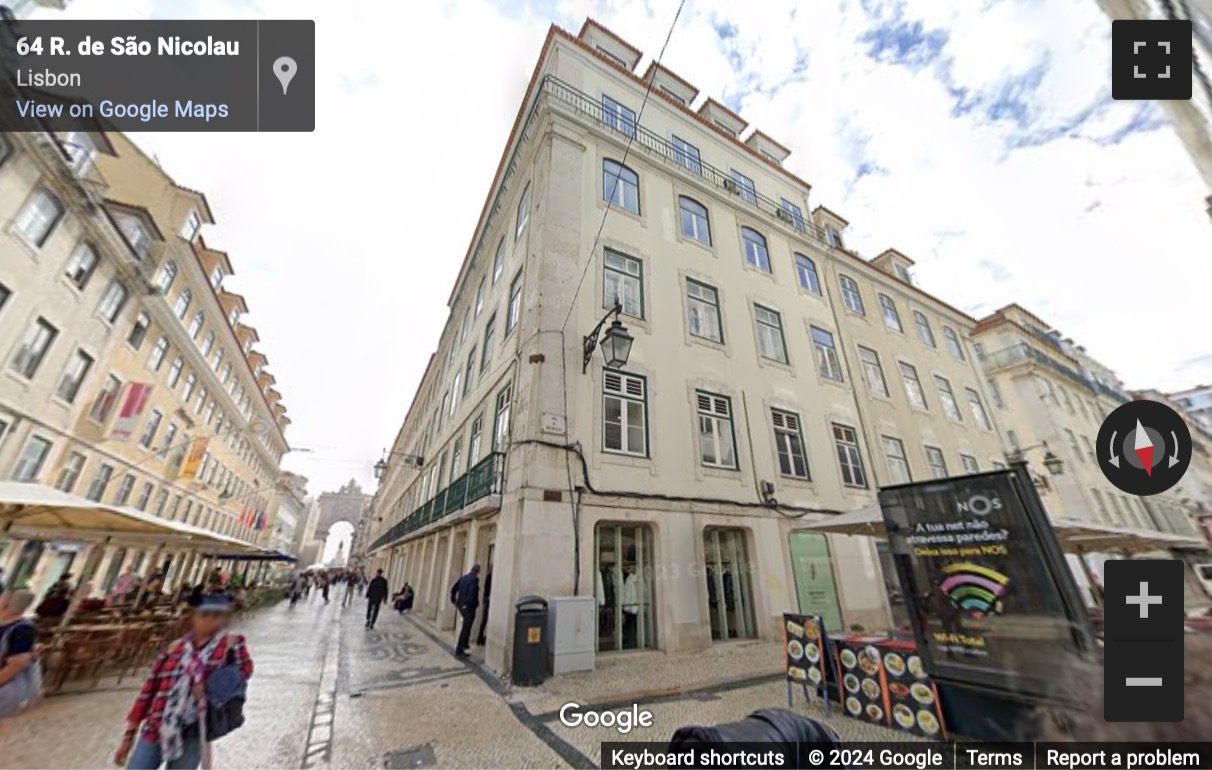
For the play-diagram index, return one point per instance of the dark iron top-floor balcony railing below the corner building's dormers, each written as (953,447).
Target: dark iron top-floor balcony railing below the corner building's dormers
(658,146)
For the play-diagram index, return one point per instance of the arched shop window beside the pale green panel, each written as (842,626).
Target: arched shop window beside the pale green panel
(730,598)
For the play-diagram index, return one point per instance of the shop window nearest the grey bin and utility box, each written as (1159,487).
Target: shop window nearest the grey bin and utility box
(624,584)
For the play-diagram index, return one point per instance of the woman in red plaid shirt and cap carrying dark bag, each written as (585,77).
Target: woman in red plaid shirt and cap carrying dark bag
(171,708)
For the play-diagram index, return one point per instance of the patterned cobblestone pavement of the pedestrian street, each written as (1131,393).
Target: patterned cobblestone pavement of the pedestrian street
(331,694)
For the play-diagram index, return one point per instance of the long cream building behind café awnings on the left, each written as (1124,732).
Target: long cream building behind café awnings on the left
(122,349)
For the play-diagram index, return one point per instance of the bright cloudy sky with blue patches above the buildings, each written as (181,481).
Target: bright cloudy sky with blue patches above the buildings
(976,136)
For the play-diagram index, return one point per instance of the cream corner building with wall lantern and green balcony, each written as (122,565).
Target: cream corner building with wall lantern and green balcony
(776,378)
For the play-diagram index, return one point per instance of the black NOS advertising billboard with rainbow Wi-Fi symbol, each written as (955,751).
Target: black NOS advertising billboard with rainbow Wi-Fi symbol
(991,597)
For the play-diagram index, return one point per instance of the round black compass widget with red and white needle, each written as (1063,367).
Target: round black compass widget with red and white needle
(1145,448)
